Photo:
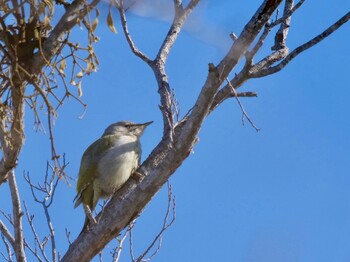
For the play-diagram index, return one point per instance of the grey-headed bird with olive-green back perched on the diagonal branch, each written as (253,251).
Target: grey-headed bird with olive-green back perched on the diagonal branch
(108,163)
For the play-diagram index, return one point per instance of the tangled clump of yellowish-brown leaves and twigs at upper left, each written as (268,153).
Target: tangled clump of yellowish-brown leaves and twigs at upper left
(25,26)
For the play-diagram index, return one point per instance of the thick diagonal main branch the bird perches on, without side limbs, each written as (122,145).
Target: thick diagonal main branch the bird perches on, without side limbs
(130,200)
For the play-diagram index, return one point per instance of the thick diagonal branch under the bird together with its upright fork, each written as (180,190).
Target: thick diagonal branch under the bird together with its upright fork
(178,140)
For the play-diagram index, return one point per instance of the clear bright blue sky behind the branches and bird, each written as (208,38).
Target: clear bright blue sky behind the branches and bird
(281,194)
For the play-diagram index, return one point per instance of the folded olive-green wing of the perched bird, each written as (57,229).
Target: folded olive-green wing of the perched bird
(88,166)
